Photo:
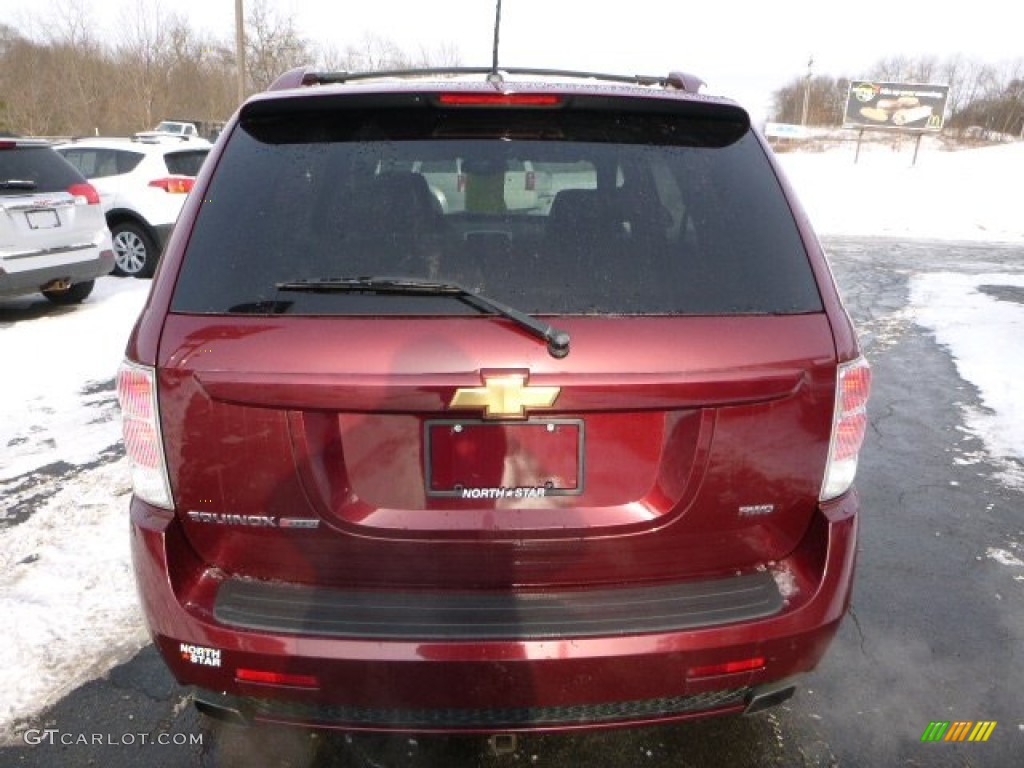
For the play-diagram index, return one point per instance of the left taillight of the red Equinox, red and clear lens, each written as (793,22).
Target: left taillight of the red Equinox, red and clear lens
(141,426)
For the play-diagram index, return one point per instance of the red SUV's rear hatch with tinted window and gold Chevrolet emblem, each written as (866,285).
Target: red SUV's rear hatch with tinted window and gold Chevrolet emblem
(324,429)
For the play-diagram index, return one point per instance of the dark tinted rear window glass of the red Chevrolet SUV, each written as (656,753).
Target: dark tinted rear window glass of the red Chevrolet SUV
(554,212)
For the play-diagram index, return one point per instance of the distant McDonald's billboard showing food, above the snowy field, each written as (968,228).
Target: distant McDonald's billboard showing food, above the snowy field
(910,107)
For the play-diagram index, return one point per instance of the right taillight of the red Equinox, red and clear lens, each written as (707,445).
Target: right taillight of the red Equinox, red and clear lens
(849,426)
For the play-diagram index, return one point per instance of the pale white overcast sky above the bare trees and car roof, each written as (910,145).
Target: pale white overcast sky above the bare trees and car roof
(746,50)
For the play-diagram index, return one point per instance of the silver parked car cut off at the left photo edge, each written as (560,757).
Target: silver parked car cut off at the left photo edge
(54,237)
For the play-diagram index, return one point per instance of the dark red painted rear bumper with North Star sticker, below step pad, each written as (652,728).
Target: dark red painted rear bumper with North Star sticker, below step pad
(450,685)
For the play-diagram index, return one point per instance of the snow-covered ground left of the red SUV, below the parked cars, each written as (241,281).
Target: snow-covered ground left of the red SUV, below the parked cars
(67,591)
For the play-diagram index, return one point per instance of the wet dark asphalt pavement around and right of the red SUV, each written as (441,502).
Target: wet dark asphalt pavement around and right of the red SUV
(936,632)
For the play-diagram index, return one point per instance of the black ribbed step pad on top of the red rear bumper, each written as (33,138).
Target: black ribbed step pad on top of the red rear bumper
(496,616)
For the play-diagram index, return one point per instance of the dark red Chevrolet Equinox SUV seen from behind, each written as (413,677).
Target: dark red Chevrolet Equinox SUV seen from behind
(471,402)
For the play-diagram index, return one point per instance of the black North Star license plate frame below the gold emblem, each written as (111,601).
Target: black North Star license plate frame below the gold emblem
(489,460)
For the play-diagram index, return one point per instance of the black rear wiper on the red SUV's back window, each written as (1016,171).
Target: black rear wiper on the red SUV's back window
(559,340)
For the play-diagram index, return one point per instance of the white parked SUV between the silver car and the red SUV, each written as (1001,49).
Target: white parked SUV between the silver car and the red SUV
(143,185)
